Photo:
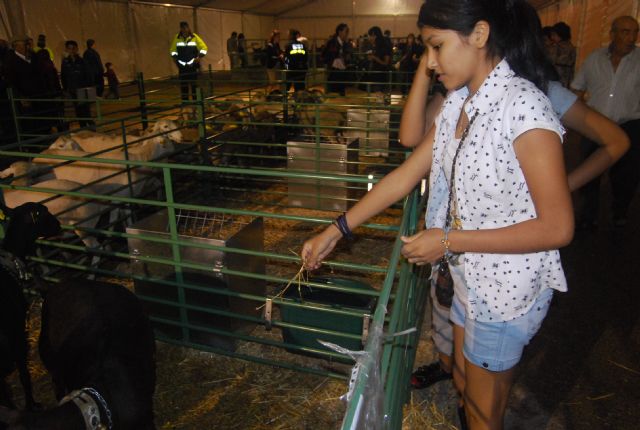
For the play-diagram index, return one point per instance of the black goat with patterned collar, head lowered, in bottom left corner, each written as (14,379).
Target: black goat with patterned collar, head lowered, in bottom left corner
(98,346)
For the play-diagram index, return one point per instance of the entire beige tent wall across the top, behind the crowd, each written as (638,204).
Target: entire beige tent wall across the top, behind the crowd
(136,36)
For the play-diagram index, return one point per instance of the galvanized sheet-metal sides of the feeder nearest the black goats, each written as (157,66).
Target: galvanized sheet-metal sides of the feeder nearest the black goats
(249,236)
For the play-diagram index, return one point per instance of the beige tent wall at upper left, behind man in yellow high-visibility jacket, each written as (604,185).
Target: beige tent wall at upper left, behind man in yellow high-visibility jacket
(133,36)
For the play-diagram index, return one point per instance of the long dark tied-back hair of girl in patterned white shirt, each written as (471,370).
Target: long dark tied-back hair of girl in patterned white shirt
(516,33)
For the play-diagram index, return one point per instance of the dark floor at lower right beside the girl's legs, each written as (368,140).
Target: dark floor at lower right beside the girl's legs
(583,368)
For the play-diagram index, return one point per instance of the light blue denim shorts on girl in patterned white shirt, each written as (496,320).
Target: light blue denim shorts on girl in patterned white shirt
(498,346)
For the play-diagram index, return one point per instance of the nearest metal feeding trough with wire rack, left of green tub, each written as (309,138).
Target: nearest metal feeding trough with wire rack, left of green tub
(164,302)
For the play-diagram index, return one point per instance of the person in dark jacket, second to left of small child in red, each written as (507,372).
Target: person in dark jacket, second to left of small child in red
(74,76)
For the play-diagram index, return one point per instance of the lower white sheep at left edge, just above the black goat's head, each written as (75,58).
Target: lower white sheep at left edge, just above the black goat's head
(70,210)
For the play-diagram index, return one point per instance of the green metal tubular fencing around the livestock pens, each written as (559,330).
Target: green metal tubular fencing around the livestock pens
(201,161)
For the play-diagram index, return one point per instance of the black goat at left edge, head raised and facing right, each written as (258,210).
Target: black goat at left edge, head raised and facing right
(27,222)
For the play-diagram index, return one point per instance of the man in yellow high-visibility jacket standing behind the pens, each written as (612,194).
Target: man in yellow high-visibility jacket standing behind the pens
(187,49)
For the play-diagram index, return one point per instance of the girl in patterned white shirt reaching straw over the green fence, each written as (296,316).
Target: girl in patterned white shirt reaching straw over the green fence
(496,145)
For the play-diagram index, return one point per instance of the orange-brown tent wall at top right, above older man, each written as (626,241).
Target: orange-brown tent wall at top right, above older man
(590,20)
